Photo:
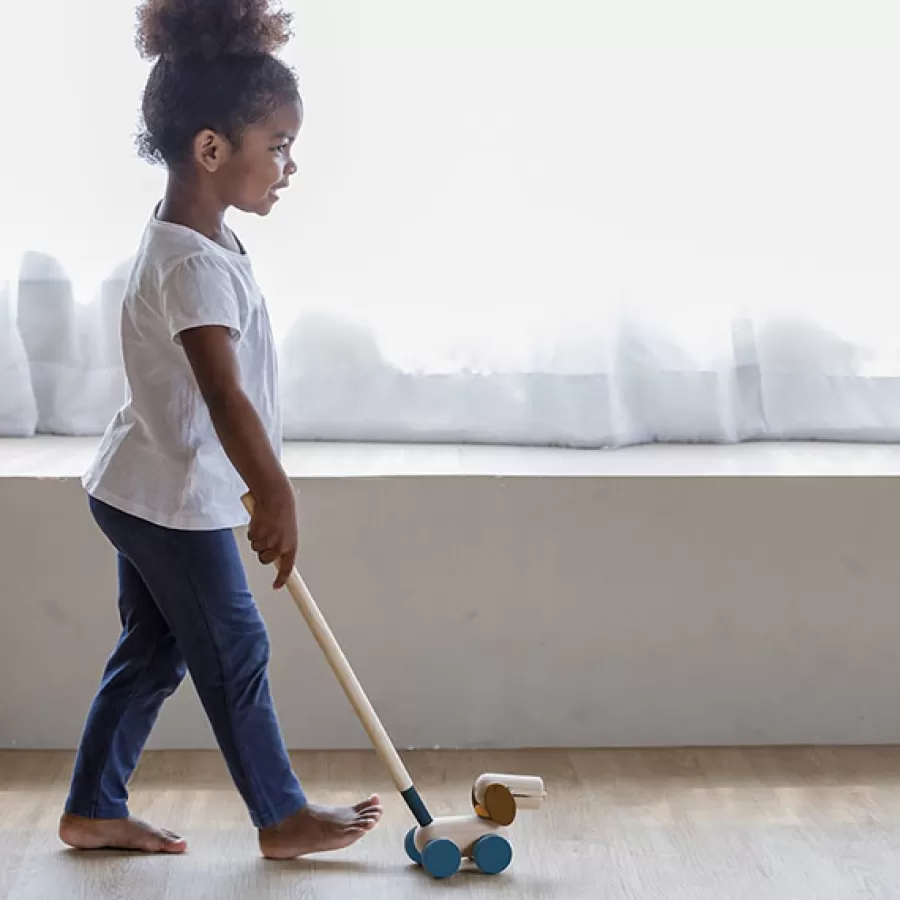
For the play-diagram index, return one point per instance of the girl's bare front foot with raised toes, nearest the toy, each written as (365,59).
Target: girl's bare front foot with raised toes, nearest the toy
(317,829)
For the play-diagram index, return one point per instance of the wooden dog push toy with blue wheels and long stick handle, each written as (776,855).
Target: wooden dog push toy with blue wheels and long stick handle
(438,845)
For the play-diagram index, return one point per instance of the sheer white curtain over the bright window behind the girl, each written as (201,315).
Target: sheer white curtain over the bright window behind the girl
(583,222)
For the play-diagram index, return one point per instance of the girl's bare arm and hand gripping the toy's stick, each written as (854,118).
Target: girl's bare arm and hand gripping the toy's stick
(273,526)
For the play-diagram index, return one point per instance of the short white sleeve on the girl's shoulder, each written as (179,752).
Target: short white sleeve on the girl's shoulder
(200,291)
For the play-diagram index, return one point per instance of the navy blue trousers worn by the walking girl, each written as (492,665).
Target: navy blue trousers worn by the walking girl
(184,605)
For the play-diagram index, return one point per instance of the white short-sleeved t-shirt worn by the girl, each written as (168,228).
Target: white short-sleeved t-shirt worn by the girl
(161,459)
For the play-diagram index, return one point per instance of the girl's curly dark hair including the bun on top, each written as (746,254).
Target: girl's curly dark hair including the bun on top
(214,69)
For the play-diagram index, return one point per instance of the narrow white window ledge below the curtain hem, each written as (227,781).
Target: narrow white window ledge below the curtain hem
(68,457)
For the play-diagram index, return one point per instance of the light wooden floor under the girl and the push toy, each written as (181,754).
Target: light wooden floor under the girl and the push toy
(657,825)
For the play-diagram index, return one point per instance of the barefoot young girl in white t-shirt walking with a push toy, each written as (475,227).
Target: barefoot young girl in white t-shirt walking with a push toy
(201,426)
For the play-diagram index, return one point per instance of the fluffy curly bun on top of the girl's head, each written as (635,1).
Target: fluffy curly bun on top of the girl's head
(211,28)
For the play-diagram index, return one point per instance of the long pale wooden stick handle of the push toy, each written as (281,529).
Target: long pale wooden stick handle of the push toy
(345,675)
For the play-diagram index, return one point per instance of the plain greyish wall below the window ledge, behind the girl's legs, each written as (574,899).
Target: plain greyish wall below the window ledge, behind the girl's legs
(489,611)
